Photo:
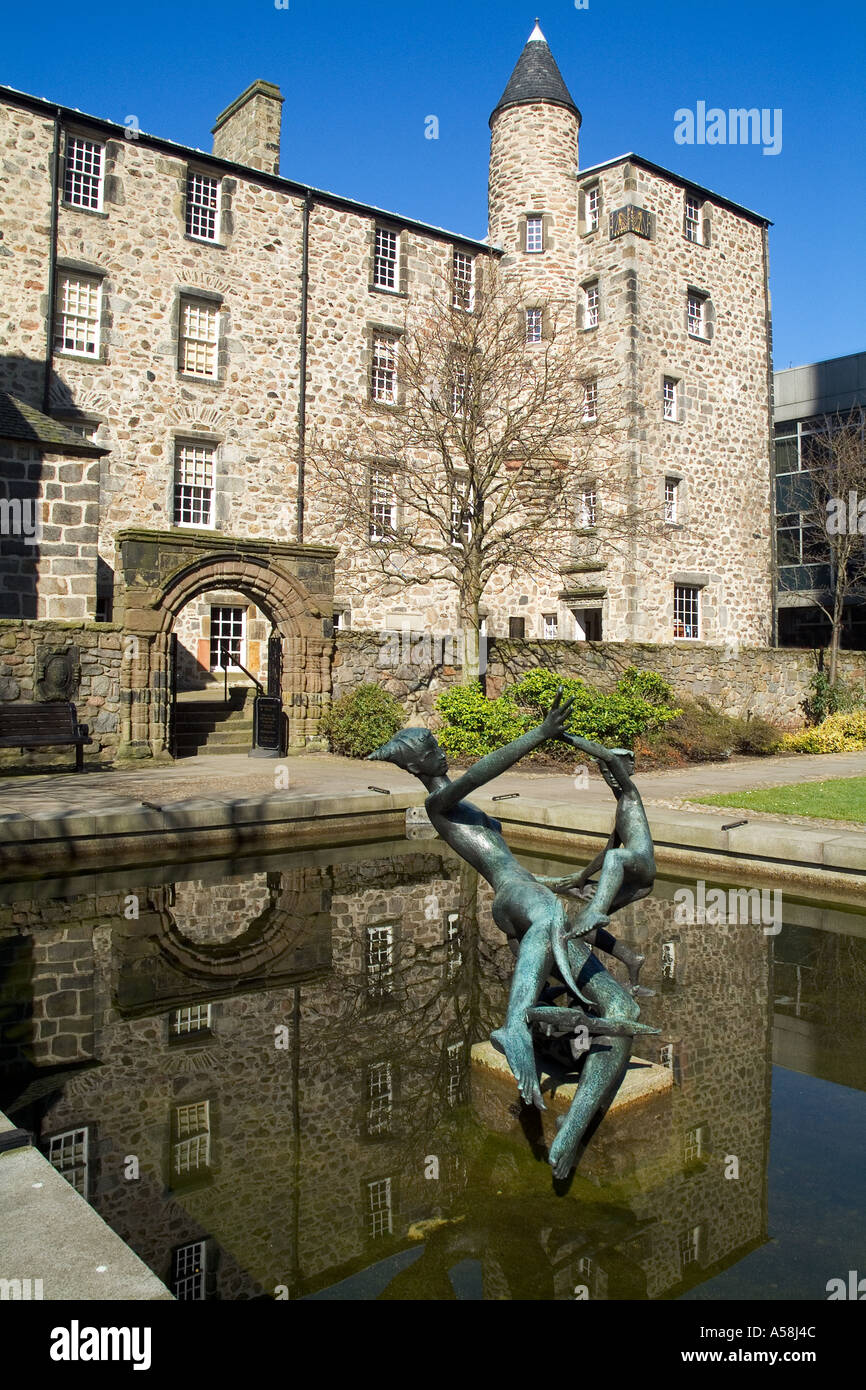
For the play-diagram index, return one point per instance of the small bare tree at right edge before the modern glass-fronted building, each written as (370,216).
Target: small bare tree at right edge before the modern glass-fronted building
(832,516)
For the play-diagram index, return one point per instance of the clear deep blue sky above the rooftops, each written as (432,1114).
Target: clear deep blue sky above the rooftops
(362,76)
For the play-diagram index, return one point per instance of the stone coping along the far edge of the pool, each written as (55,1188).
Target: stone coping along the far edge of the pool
(821,857)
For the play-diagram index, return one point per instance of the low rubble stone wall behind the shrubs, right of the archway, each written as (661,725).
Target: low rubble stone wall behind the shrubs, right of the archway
(760,682)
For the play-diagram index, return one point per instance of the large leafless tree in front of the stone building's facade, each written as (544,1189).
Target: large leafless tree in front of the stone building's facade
(489,440)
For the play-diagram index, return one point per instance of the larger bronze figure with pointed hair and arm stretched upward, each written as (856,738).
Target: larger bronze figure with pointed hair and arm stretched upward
(533,915)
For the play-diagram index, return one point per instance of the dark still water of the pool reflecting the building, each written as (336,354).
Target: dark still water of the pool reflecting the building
(259,1072)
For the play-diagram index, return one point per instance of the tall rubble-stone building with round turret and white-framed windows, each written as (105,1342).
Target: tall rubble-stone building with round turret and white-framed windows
(197,316)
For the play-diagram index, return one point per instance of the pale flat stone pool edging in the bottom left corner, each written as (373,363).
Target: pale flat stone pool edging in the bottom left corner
(51,1234)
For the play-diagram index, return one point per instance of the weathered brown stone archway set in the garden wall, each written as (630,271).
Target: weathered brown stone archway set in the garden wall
(159,573)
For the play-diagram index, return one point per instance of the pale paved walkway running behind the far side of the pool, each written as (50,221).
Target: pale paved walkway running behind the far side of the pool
(240,778)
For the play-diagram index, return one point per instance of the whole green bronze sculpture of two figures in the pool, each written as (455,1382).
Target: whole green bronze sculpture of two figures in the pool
(536,922)
